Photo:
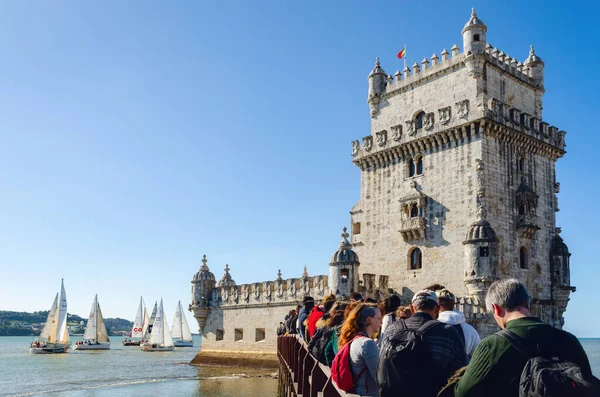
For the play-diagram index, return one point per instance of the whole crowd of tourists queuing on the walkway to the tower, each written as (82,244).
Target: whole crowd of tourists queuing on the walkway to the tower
(427,348)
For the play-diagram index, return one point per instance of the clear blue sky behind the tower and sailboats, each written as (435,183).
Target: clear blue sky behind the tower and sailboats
(137,136)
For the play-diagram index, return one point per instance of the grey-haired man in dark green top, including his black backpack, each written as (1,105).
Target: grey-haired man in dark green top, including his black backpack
(517,360)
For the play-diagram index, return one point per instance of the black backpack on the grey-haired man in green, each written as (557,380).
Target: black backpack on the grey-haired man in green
(549,377)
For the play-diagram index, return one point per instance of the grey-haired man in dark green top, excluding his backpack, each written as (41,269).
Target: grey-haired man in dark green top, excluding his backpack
(496,366)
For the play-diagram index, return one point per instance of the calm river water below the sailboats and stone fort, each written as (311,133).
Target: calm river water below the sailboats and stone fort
(121,371)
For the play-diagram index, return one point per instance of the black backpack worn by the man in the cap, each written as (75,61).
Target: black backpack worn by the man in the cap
(402,358)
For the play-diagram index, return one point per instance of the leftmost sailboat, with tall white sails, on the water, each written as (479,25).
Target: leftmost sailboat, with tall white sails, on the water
(55,334)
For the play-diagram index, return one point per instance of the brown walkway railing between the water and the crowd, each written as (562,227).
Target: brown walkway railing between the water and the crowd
(300,374)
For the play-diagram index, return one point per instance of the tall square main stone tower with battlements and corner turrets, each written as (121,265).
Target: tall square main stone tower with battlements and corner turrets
(458,178)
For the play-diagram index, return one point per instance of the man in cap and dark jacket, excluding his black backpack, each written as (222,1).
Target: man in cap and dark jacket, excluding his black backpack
(443,344)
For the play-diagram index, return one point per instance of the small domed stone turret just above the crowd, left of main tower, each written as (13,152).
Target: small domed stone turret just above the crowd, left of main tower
(343,269)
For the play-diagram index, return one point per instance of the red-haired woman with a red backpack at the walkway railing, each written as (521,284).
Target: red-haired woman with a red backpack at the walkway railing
(354,367)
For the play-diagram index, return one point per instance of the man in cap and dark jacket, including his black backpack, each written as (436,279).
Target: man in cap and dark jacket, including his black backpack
(419,354)
